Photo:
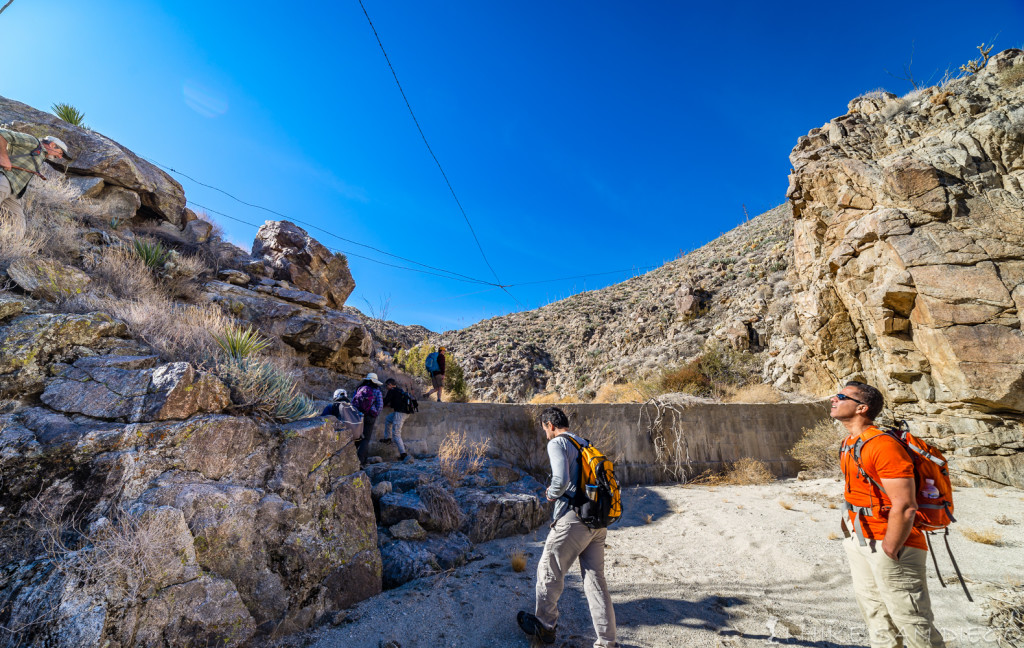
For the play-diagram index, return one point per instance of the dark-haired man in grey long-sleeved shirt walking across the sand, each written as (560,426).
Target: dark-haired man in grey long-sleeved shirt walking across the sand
(569,540)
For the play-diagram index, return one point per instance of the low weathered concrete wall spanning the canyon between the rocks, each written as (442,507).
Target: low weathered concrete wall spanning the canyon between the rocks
(710,436)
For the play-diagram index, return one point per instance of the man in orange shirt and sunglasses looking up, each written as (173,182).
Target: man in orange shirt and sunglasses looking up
(886,552)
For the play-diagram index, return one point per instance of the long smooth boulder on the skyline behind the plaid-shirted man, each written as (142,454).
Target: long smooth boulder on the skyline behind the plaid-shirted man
(101,157)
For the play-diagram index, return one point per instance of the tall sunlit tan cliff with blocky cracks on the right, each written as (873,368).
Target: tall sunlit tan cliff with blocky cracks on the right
(910,253)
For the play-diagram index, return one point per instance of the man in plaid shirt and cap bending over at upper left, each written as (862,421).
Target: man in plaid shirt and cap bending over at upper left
(23,158)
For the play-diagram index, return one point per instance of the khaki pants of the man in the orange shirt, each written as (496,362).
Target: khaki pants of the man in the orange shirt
(893,596)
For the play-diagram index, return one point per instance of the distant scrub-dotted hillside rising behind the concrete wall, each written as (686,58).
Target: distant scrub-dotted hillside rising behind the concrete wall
(733,291)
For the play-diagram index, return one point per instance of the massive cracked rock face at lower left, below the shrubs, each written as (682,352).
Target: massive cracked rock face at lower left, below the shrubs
(134,511)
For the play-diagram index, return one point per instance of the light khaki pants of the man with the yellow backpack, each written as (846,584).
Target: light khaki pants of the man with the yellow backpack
(569,540)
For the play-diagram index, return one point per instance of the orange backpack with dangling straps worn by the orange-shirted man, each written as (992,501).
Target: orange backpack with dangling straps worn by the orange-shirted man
(935,493)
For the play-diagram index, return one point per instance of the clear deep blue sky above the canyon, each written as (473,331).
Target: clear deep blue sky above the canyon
(580,137)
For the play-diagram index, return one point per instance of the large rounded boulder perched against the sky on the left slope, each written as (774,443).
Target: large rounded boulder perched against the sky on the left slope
(296,257)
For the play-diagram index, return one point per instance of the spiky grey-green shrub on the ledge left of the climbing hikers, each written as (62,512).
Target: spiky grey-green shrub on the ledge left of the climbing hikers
(259,385)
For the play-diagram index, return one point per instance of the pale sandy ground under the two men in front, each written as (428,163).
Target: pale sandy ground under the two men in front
(716,567)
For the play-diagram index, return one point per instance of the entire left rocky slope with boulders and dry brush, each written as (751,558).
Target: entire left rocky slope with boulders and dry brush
(164,481)
